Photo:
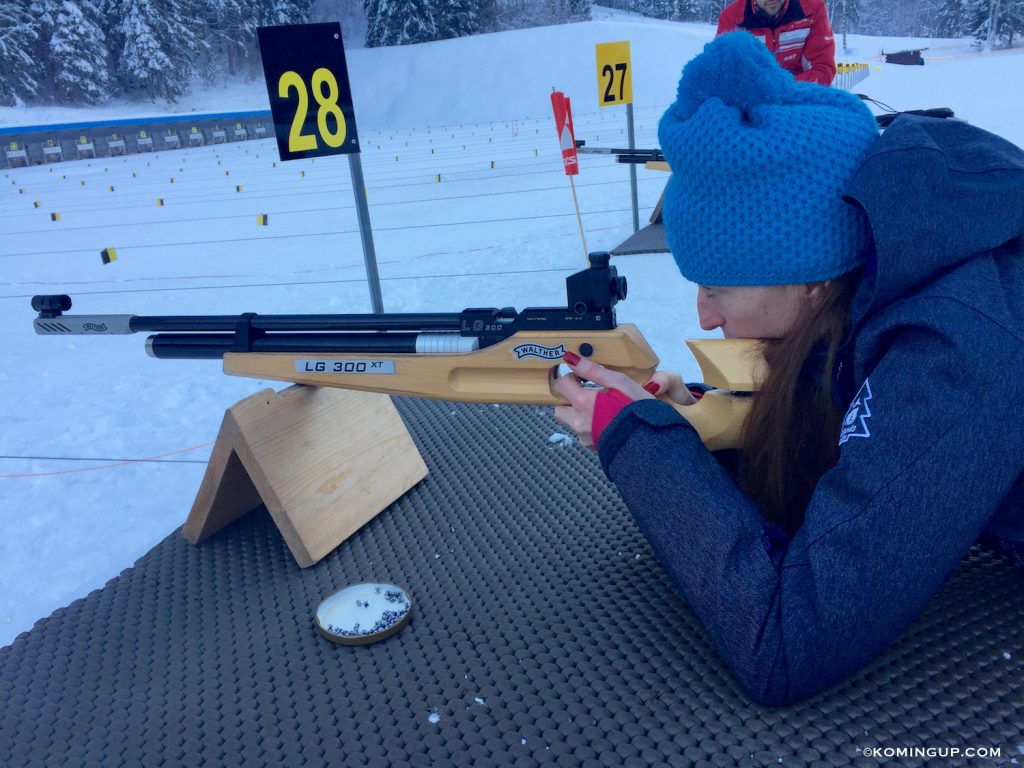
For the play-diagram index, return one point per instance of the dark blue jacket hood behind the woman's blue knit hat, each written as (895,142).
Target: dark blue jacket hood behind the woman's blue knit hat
(936,193)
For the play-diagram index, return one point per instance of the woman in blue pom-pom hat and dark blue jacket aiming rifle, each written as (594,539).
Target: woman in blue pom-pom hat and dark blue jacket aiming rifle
(887,276)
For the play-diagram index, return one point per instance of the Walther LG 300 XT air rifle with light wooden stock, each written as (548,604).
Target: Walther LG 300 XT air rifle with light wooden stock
(476,356)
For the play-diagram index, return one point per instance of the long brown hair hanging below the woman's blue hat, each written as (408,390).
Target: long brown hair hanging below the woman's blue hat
(792,433)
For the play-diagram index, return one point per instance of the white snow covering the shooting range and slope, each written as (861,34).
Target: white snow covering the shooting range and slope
(78,506)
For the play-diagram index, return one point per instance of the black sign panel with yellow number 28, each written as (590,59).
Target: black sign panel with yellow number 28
(308,82)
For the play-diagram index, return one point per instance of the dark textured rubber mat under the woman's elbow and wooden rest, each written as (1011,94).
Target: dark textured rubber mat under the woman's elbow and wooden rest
(544,633)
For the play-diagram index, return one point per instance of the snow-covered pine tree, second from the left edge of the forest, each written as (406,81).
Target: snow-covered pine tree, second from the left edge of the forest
(78,54)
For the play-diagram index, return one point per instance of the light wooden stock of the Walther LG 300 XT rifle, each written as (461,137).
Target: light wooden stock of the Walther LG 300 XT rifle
(523,369)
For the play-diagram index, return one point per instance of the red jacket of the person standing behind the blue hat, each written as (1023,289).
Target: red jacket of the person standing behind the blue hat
(800,36)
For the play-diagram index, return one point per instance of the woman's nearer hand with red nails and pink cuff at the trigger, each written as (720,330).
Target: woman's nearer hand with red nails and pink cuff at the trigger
(579,415)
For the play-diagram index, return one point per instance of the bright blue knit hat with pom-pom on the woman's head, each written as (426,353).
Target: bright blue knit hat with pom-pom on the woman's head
(759,163)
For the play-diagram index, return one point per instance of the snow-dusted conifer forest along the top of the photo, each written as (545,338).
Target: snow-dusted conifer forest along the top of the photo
(74,53)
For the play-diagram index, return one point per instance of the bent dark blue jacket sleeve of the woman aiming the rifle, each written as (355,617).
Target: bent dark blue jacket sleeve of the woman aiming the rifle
(914,488)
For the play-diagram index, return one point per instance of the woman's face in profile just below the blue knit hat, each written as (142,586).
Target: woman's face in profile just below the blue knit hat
(755,312)
